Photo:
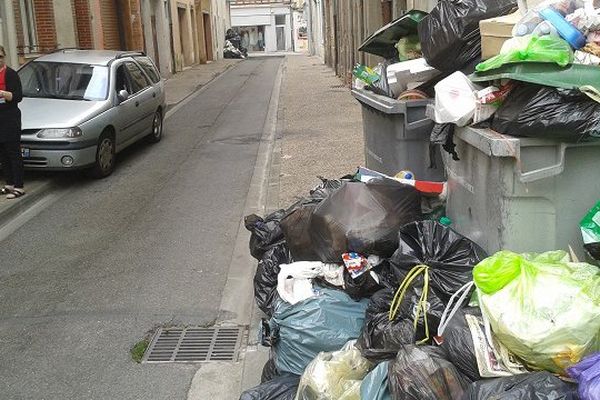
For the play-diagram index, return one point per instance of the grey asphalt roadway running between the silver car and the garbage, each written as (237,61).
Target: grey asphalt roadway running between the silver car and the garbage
(91,274)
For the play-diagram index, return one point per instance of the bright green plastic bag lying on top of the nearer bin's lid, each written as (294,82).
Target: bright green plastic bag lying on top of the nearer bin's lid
(530,49)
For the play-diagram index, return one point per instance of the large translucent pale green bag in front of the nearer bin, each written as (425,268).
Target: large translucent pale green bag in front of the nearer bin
(543,308)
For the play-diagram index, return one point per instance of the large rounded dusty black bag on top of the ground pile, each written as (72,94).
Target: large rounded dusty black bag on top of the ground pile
(364,218)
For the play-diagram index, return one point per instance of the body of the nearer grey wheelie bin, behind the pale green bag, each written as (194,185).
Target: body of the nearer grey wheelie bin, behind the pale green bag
(521,194)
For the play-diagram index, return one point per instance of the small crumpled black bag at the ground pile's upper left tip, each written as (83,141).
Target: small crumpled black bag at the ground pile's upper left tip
(265,233)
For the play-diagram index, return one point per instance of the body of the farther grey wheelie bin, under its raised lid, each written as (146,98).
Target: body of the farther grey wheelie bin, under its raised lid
(397,136)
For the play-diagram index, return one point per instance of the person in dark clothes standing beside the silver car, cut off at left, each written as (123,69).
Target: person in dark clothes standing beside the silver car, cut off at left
(10,130)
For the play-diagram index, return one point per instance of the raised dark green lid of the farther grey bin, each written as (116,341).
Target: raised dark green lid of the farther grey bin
(383,42)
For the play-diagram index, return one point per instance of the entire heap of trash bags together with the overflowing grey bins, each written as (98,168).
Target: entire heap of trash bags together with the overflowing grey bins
(373,290)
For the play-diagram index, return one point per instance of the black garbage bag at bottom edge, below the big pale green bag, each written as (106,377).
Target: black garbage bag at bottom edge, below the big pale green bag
(534,386)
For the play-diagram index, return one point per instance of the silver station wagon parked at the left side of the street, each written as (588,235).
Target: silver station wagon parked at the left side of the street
(81,107)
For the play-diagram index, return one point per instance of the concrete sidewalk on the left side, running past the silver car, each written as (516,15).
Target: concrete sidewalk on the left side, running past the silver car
(179,87)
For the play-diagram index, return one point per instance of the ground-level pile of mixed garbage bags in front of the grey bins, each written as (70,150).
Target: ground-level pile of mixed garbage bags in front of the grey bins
(422,314)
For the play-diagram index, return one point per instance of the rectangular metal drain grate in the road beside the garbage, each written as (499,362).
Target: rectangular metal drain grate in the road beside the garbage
(195,344)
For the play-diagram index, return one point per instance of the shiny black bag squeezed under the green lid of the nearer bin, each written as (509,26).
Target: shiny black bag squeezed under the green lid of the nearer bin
(545,112)
